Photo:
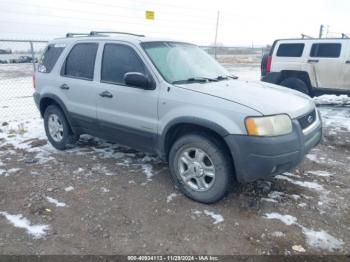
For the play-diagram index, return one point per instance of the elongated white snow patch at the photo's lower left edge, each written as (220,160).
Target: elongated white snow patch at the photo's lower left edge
(37,231)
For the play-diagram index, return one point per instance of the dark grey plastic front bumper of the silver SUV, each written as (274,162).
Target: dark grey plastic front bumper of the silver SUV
(262,157)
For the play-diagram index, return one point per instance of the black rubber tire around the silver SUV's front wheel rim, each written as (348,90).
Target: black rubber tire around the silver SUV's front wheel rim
(220,159)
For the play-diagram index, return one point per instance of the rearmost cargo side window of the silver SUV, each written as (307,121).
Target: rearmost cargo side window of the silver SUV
(50,57)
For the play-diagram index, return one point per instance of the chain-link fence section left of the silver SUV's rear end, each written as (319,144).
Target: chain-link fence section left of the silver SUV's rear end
(18,60)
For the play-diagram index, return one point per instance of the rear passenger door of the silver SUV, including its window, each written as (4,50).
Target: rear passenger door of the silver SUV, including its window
(77,86)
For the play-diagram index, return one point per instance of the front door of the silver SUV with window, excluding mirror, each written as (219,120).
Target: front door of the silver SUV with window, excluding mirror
(127,114)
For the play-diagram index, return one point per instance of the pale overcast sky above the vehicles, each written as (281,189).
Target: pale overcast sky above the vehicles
(242,22)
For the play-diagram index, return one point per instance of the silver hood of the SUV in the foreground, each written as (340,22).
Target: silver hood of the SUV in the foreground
(266,98)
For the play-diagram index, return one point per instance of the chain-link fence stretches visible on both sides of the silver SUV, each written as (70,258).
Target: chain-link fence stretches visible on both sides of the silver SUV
(18,59)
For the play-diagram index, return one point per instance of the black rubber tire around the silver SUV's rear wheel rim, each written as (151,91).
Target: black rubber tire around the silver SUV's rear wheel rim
(68,138)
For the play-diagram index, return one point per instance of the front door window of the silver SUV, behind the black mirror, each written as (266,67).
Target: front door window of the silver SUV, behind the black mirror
(118,60)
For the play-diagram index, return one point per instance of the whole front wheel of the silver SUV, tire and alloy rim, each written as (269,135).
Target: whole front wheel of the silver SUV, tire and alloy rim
(201,167)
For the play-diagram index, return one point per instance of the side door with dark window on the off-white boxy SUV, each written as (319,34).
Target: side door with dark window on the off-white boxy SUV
(326,60)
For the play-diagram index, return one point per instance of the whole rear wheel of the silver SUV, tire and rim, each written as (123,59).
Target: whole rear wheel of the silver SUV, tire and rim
(57,128)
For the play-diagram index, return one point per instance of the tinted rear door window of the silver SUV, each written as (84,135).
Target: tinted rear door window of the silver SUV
(80,62)
